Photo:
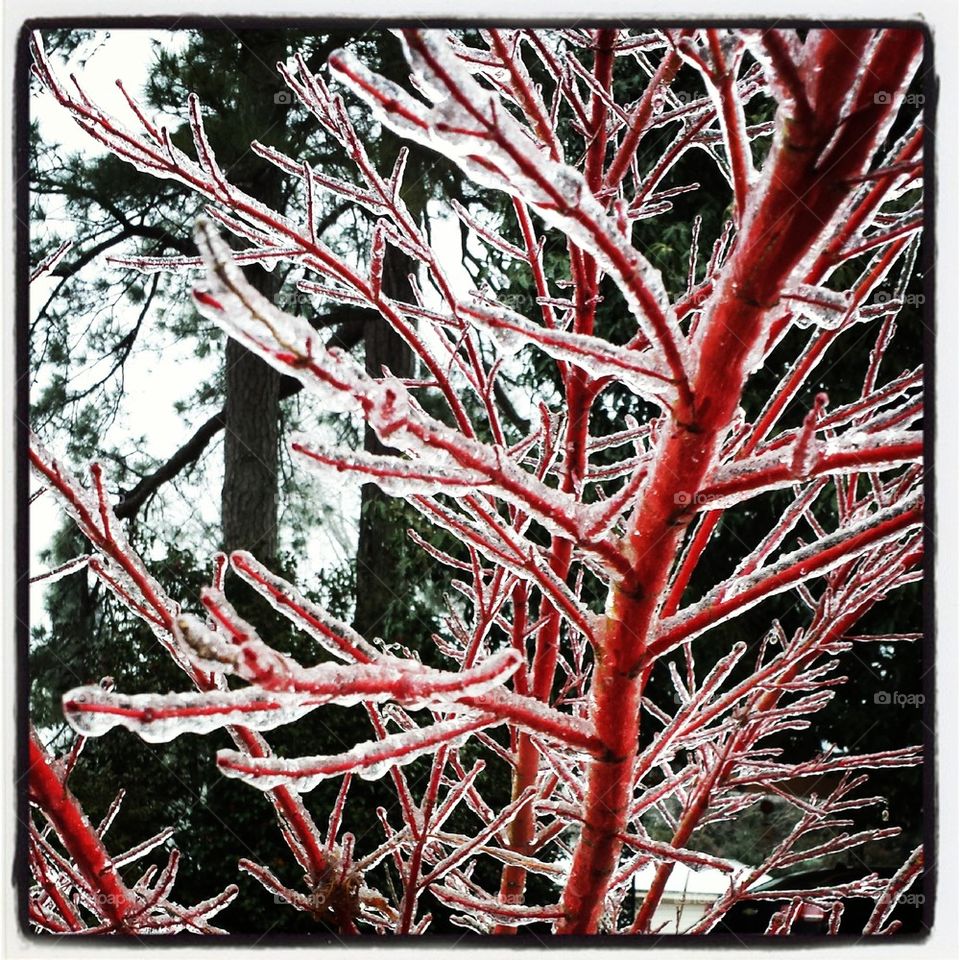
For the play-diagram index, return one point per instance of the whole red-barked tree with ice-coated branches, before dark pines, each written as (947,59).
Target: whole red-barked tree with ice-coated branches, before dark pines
(826,210)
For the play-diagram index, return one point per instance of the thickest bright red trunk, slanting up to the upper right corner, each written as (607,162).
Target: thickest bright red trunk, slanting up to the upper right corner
(808,183)
